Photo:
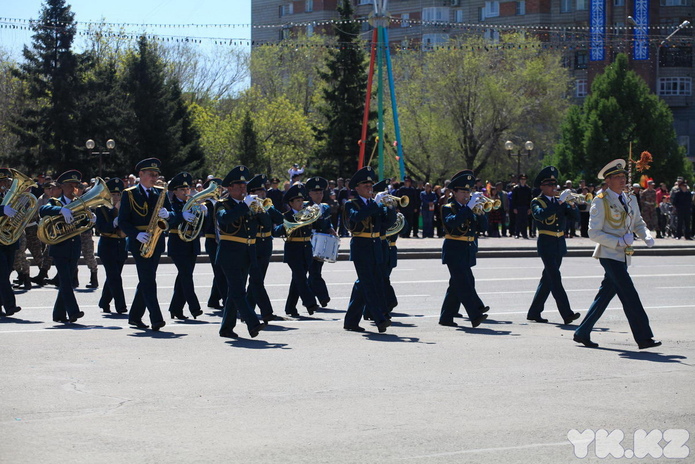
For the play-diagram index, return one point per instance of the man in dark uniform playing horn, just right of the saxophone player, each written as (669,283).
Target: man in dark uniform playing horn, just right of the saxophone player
(183,253)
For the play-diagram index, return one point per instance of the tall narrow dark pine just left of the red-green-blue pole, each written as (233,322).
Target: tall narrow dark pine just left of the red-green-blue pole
(343,100)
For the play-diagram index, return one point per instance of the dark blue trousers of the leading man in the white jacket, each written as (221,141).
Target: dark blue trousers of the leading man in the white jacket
(617,281)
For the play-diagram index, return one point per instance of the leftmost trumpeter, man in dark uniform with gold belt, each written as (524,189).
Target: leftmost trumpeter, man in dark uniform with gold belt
(236,251)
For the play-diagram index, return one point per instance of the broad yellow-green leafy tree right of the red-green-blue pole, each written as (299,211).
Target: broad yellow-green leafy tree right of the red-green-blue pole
(458,104)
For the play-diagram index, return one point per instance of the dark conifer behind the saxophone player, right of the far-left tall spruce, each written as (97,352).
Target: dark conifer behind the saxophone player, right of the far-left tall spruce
(163,125)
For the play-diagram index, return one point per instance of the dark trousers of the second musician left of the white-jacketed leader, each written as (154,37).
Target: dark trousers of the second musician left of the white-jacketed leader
(461,291)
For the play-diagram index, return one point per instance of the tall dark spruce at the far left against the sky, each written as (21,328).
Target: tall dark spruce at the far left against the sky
(47,127)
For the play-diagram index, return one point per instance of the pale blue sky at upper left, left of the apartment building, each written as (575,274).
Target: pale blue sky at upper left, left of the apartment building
(138,13)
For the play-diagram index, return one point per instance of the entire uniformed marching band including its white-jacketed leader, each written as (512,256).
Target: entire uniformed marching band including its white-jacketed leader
(238,223)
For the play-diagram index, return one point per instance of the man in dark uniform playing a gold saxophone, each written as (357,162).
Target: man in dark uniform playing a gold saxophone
(137,209)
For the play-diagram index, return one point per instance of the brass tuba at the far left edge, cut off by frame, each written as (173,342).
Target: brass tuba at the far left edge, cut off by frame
(24,203)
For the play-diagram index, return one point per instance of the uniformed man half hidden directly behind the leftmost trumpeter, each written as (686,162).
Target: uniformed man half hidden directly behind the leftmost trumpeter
(267,220)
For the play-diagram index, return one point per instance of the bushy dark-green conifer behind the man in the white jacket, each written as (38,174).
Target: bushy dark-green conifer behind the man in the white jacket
(619,111)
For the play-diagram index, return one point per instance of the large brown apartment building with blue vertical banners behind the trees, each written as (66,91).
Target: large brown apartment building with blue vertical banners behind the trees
(635,27)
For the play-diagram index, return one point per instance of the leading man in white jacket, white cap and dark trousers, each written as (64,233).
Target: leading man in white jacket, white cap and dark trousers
(612,217)
